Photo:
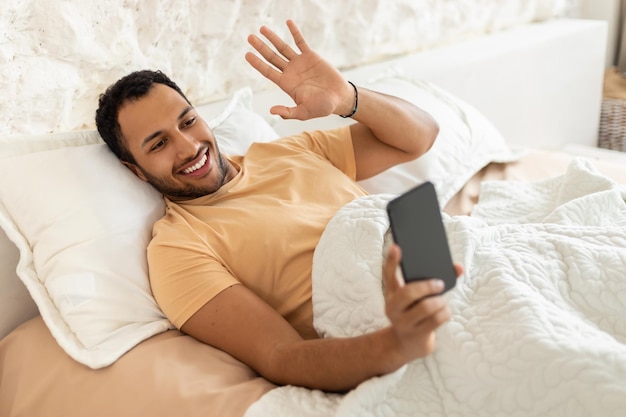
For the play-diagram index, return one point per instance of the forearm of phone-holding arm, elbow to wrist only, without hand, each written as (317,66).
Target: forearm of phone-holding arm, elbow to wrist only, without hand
(335,364)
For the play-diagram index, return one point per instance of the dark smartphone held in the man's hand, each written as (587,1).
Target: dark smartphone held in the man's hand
(417,228)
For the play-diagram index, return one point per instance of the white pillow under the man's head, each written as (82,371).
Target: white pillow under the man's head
(81,222)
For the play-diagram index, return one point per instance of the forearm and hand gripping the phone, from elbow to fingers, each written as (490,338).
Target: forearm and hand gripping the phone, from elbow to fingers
(415,311)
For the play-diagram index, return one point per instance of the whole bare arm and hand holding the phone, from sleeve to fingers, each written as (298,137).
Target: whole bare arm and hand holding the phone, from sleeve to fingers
(238,322)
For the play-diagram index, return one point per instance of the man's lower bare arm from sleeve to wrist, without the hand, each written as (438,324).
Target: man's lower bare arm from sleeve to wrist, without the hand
(238,322)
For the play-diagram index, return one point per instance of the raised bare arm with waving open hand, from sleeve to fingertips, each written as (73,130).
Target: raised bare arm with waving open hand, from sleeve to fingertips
(389,130)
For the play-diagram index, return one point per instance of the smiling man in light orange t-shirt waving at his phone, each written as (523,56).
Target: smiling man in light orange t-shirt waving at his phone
(230,263)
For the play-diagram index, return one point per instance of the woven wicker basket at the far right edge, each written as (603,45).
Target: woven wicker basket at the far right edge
(612,133)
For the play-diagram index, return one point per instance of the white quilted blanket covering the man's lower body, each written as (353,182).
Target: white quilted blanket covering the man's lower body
(539,318)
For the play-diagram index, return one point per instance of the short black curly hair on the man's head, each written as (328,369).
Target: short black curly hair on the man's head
(130,87)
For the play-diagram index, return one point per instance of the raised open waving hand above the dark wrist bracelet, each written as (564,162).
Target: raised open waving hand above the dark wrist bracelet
(317,88)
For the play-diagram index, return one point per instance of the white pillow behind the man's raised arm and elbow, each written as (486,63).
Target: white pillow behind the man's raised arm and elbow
(466,143)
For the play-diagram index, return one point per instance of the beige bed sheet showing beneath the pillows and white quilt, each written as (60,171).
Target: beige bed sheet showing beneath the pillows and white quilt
(172,374)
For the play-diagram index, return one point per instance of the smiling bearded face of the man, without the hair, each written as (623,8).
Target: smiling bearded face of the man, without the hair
(173,147)
